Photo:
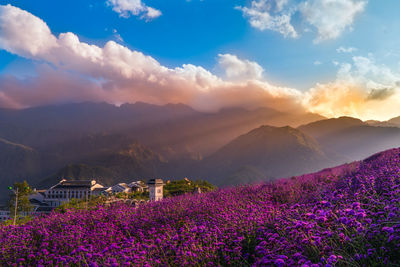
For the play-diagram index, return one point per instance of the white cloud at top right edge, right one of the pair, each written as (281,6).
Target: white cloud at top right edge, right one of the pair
(331,17)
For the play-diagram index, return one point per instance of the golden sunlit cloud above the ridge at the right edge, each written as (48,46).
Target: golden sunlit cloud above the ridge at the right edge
(362,89)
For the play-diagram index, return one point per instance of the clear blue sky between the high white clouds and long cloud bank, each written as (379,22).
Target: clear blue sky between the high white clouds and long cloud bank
(197,31)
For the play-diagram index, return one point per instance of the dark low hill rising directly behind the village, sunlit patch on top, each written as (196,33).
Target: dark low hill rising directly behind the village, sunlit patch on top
(108,158)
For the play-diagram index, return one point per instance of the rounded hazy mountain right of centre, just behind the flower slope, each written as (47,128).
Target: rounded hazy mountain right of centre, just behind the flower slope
(264,153)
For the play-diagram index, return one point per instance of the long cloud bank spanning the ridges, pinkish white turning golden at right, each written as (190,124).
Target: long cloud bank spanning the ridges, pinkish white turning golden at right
(72,70)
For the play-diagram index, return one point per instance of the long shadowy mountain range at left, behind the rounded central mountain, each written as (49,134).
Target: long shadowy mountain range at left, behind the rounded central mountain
(104,139)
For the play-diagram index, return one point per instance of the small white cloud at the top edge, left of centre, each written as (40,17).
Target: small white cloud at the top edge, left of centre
(126,8)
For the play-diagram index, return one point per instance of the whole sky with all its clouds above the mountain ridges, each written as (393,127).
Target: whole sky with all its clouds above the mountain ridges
(332,57)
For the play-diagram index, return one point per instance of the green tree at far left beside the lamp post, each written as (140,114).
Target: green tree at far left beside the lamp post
(20,199)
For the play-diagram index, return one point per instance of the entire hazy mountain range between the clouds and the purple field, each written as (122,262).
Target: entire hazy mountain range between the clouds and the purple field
(139,141)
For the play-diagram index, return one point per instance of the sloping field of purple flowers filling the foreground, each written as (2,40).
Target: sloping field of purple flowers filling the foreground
(349,215)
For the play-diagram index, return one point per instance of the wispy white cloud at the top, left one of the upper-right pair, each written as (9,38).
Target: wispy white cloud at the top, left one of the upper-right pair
(265,15)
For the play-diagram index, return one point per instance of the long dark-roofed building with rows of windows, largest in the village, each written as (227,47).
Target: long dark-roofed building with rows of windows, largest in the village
(65,190)
